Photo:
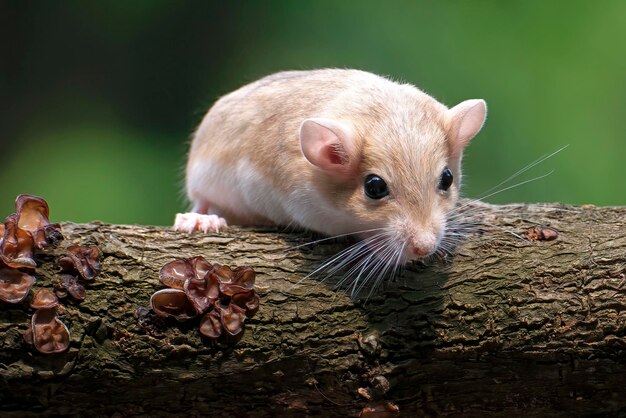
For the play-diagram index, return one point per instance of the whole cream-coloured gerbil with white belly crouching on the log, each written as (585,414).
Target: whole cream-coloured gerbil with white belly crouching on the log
(334,151)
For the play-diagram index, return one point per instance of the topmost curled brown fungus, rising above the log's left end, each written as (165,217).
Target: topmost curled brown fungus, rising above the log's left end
(34,217)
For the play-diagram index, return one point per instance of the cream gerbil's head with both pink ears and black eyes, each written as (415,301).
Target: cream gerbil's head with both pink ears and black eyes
(393,171)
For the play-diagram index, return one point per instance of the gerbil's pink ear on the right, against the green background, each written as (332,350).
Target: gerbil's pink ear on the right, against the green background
(467,118)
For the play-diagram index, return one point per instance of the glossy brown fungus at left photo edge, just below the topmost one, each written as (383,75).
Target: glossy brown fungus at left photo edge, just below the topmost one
(16,245)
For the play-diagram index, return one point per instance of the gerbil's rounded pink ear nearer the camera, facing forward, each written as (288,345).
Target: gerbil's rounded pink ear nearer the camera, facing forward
(329,145)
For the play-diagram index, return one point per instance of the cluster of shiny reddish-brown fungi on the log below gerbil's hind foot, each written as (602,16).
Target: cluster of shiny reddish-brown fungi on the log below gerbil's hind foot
(224,297)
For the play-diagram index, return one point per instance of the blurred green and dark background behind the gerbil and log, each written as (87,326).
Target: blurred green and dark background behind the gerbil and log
(99,98)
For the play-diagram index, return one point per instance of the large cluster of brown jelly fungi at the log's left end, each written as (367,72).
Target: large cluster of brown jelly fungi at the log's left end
(21,235)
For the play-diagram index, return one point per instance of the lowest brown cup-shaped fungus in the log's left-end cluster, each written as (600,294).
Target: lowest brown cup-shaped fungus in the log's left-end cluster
(49,334)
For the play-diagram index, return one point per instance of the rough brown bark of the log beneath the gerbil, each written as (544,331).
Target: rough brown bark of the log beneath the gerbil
(507,326)
